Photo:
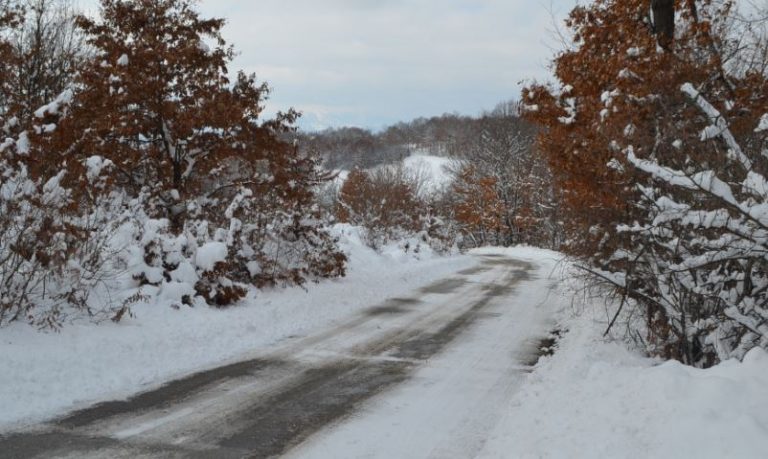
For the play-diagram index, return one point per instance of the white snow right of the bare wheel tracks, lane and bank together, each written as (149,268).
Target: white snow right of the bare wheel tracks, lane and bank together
(593,398)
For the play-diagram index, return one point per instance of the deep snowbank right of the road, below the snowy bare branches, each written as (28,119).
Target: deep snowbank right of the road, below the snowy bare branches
(597,399)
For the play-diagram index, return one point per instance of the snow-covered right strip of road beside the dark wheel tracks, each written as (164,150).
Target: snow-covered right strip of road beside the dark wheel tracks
(451,403)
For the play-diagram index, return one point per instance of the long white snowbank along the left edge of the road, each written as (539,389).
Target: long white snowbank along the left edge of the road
(48,374)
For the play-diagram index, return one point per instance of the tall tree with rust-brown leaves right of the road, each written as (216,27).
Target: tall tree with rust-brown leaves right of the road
(616,89)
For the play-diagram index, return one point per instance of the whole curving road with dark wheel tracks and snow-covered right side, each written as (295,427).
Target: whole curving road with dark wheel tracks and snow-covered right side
(427,374)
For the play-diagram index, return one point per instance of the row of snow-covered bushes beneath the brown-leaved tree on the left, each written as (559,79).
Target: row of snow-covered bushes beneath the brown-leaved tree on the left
(60,261)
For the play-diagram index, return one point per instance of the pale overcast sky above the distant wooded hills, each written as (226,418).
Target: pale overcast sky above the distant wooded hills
(371,63)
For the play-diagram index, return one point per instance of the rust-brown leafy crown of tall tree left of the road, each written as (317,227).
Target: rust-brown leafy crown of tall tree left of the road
(157,101)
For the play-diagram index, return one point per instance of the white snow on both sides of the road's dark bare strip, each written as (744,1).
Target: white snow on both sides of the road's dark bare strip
(476,398)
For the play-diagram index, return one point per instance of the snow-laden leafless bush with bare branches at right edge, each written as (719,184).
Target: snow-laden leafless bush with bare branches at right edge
(703,245)
